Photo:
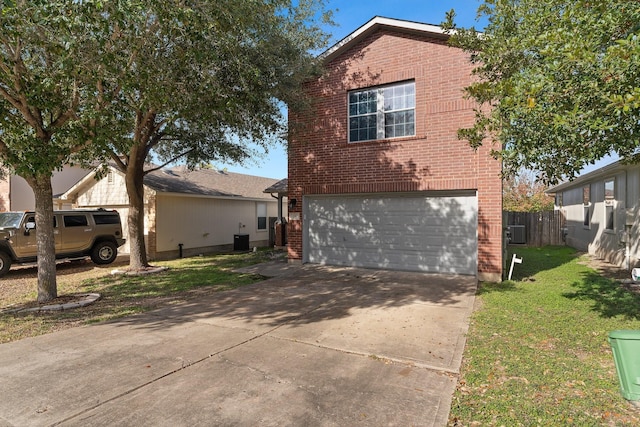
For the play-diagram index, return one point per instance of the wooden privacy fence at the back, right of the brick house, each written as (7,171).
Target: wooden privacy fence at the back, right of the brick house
(536,228)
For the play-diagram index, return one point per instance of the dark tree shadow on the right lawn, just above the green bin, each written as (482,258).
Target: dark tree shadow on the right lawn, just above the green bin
(607,297)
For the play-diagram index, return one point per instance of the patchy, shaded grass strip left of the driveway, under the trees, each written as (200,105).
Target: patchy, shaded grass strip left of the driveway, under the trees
(185,279)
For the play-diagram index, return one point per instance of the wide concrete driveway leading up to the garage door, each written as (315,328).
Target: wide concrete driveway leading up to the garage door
(311,346)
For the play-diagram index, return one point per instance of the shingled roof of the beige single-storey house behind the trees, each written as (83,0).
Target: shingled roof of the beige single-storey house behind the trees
(208,182)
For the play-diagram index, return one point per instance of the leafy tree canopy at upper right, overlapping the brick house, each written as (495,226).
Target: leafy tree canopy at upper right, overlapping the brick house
(558,82)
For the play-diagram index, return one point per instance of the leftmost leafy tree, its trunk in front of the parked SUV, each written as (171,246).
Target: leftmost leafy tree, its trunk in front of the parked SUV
(48,107)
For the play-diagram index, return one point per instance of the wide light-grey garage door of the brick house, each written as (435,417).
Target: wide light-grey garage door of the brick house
(399,232)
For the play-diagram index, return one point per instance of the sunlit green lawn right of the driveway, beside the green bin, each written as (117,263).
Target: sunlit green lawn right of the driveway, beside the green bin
(537,350)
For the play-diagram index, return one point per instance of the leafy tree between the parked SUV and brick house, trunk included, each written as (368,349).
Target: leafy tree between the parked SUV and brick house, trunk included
(198,81)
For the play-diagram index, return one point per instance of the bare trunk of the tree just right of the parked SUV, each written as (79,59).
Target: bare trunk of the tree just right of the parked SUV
(135,190)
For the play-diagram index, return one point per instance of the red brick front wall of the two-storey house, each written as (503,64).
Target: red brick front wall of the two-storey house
(321,161)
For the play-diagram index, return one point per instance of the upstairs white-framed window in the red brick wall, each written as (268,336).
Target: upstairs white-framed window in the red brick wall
(382,112)
